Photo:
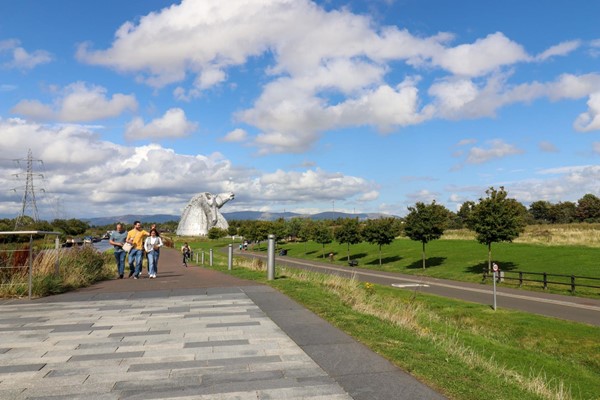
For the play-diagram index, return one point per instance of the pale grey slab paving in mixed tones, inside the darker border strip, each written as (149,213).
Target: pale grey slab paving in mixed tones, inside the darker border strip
(203,346)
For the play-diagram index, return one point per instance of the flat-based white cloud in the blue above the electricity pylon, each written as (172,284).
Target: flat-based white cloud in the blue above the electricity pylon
(77,102)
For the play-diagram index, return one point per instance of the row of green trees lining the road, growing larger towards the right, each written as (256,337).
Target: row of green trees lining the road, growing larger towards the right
(495,218)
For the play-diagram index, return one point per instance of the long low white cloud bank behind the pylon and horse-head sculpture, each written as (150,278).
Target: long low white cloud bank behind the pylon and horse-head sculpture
(110,179)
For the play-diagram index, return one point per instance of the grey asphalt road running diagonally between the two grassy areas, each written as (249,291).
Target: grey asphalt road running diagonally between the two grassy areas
(570,308)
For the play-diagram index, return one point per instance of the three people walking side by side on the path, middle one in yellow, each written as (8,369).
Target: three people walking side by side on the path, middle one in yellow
(137,242)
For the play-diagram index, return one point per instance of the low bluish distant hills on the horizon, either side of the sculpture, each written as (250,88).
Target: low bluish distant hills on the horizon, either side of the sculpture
(232,216)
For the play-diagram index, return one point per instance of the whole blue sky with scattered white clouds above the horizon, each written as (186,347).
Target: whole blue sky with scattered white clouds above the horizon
(297,105)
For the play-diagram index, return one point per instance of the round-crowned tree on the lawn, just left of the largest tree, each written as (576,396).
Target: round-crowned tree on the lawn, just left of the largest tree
(426,222)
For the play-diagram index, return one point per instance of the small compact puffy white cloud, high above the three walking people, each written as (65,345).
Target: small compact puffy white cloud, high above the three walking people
(171,125)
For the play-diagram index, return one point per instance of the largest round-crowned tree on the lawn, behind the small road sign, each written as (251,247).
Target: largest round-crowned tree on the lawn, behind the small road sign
(497,219)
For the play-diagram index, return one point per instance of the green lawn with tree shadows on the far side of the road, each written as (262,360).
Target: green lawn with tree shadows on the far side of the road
(465,260)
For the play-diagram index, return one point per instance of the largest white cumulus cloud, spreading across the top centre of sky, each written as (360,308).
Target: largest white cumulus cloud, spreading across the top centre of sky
(328,68)
